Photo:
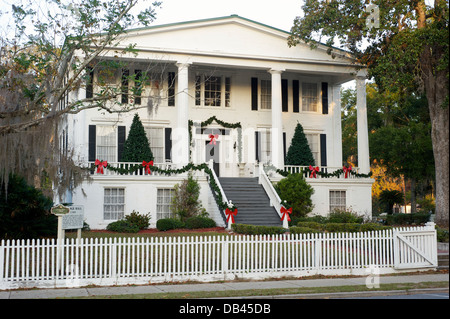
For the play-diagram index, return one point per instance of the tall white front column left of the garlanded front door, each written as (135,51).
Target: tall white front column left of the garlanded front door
(180,134)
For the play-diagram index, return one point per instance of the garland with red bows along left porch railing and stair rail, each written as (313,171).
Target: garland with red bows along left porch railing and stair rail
(148,166)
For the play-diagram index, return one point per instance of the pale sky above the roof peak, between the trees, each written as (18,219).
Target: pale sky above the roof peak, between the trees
(279,14)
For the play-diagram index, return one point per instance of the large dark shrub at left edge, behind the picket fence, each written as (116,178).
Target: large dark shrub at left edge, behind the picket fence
(25,211)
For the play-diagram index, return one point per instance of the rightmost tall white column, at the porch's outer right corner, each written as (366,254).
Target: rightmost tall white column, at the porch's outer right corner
(362,127)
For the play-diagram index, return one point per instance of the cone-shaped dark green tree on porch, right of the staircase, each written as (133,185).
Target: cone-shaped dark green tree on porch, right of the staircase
(299,152)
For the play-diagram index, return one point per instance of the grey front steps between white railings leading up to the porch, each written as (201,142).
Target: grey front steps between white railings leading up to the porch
(251,200)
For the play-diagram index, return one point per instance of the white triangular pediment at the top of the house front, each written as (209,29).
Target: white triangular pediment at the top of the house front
(231,36)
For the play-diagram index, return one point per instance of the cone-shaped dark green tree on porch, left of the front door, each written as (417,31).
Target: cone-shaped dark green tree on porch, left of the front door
(136,148)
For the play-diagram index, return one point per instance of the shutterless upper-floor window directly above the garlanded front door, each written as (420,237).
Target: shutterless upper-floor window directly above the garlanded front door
(212,91)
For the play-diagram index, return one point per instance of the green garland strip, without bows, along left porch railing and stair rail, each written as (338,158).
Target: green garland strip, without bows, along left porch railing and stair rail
(132,168)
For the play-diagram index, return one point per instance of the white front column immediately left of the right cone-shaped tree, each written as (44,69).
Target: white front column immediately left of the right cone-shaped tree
(277,121)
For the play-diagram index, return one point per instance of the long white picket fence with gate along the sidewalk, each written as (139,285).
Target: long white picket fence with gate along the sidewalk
(116,261)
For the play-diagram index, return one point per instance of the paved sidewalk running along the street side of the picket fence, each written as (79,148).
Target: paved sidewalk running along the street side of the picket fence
(168,288)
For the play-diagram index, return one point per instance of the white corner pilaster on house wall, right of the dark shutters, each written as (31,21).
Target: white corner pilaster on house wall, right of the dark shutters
(337,126)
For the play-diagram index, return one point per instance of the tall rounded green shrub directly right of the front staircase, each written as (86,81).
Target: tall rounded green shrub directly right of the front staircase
(297,193)
